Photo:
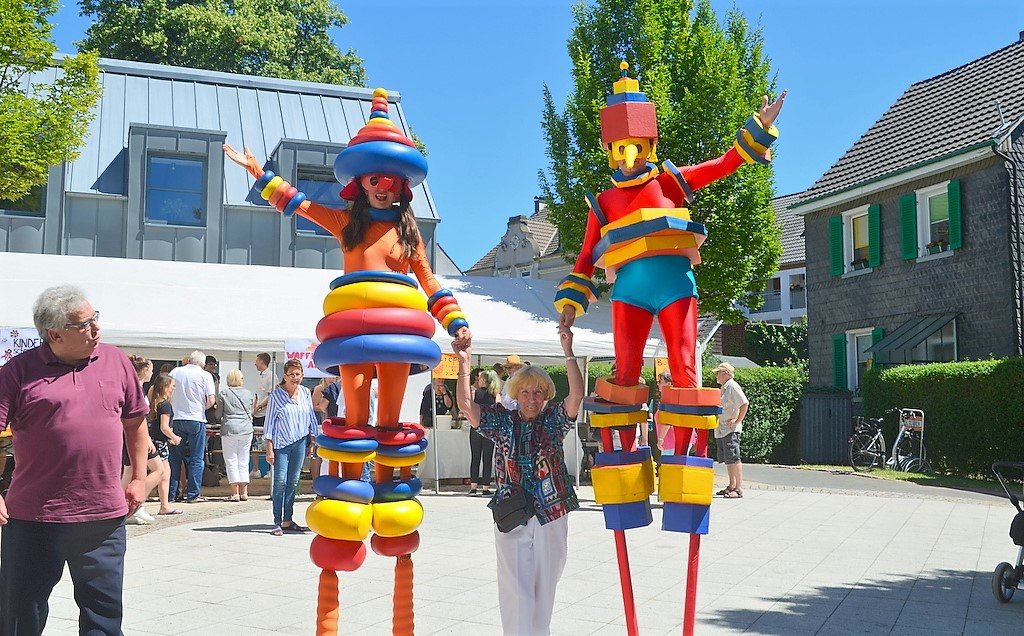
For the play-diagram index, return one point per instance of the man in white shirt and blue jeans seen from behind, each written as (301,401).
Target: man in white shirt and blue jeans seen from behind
(194,394)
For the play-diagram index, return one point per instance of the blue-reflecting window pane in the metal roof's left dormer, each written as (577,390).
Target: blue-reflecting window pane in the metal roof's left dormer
(176,191)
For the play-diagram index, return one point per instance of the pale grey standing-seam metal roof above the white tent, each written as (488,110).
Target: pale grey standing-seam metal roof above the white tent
(257,112)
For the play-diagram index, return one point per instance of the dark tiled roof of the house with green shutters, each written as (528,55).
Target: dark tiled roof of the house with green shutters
(938,117)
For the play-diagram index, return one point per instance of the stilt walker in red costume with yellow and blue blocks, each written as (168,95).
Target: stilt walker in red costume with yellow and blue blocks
(642,234)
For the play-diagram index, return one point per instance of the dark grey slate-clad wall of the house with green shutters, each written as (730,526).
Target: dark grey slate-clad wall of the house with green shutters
(976,282)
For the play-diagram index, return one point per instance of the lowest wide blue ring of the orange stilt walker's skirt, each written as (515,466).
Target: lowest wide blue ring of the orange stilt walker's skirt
(422,354)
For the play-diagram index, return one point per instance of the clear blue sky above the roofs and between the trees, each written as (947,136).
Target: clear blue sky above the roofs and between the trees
(471,75)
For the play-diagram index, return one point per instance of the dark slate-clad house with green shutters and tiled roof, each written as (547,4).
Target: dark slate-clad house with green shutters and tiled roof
(914,237)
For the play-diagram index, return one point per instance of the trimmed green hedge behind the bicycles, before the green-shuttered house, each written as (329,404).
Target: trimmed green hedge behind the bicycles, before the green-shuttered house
(974,411)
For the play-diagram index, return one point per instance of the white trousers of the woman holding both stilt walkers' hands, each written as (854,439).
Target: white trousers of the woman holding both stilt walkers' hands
(531,561)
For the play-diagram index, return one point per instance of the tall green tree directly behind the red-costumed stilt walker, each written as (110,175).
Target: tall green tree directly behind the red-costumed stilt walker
(705,79)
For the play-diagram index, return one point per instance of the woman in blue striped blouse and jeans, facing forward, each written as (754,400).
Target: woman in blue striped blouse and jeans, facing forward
(289,432)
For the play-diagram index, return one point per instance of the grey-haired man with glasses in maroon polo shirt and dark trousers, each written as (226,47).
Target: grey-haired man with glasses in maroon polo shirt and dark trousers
(71,403)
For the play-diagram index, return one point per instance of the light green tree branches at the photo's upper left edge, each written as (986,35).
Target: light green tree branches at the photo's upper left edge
(44,125)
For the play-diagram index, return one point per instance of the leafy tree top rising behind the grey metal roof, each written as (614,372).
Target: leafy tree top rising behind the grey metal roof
(270,38)
